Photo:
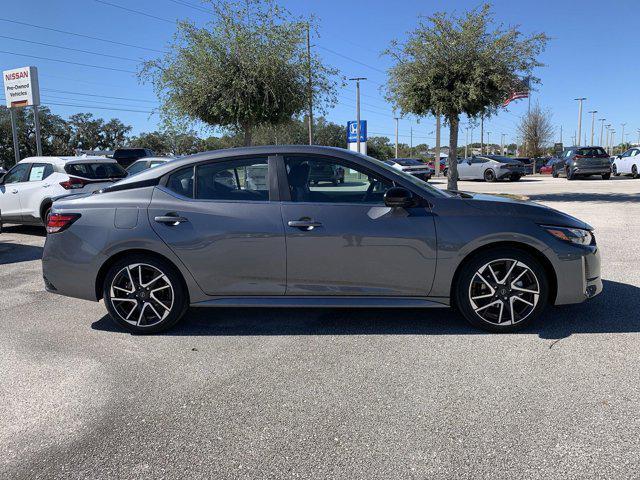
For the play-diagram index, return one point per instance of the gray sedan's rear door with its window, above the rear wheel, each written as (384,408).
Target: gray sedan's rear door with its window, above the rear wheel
(220,219)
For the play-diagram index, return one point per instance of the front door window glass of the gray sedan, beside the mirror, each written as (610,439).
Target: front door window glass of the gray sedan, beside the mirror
(319,180)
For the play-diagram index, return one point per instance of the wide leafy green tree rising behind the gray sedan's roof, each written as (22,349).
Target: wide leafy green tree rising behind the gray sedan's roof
(247,68)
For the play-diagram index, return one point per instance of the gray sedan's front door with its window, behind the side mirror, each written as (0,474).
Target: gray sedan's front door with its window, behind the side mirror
(343,240)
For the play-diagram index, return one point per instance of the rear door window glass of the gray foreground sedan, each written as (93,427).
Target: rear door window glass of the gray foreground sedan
(242,180)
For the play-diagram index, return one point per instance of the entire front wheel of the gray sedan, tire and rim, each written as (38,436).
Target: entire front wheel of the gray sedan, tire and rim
(501,290)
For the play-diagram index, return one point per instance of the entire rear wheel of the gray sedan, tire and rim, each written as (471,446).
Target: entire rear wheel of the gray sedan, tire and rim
(144,294)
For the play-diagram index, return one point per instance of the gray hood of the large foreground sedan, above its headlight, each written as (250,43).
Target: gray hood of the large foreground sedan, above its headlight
(540,214)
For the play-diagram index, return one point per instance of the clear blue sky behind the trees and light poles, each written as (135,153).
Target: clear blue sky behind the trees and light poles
(592,53)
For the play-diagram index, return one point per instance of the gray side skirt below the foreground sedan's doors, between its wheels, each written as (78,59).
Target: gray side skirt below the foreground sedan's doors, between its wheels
(324,302)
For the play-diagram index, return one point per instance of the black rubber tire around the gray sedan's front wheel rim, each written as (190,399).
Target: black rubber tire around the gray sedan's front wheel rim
(463,288)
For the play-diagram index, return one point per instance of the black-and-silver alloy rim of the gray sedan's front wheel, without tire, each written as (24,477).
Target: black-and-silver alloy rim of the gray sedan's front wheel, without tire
(504,292)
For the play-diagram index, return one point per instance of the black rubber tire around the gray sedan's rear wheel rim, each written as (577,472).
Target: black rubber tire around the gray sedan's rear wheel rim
(179,303)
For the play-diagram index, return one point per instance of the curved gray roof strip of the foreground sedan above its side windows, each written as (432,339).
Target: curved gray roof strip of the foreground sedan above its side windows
(231,153)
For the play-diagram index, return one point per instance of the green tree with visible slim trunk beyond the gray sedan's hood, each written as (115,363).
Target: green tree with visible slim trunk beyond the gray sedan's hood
(456,65)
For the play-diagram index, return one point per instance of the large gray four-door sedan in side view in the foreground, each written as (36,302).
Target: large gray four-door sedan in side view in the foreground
(171,236)
